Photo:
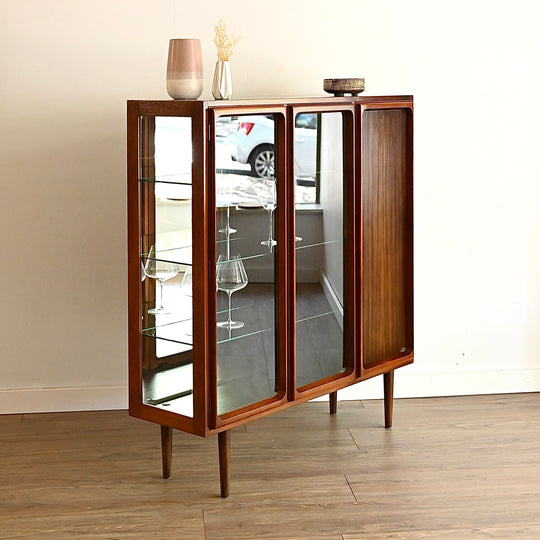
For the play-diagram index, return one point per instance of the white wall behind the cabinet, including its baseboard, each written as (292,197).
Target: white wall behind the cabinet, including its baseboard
(69,65)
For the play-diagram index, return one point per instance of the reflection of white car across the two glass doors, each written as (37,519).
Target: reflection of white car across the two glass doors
(253,143)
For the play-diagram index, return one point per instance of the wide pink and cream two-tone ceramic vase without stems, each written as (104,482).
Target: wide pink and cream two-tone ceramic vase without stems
(184,69)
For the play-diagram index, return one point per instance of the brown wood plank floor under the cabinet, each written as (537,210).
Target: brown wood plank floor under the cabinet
(459,467)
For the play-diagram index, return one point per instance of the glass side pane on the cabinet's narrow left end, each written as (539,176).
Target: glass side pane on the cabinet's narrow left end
(166,263)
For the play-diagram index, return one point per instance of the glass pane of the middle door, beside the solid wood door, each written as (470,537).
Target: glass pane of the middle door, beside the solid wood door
(321,304)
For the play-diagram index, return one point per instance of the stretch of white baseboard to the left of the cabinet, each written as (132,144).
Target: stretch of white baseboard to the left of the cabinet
(36,400)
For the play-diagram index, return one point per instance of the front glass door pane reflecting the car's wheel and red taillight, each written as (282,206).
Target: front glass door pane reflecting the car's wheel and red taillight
(246,247)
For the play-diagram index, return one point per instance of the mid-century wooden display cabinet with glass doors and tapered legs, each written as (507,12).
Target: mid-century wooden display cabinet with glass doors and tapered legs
(270,255)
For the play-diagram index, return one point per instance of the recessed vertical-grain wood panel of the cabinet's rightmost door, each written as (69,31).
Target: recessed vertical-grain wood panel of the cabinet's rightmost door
(386,256)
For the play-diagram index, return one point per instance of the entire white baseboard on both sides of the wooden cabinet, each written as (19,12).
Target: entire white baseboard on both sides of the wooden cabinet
(406,385)
